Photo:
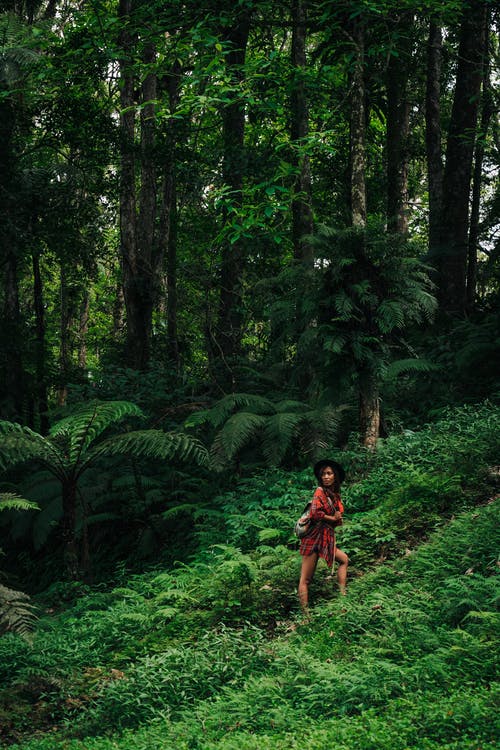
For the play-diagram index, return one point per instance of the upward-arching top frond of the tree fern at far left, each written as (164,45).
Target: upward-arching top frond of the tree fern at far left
(80,430)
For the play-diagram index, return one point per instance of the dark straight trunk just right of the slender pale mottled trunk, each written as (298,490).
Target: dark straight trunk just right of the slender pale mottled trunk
(398,120)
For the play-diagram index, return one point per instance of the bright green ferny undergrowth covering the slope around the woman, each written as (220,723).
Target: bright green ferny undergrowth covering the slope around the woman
(212,654)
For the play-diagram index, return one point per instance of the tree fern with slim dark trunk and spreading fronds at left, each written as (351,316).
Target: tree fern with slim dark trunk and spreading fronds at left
(76,442)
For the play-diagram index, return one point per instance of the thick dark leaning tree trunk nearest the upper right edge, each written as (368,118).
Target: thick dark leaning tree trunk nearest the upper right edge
(452,258)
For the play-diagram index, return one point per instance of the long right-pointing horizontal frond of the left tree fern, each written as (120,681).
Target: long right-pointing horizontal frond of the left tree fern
(153,444)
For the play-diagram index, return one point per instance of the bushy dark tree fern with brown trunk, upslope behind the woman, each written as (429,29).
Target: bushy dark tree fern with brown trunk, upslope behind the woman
(370,291)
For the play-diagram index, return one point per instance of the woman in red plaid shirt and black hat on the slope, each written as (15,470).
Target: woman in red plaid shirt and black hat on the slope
(326,513)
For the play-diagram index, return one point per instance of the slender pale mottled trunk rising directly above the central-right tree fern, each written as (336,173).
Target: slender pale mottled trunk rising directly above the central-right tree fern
(357,127)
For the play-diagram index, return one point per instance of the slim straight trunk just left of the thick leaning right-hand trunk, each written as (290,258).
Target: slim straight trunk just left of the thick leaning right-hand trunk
(433,135)
